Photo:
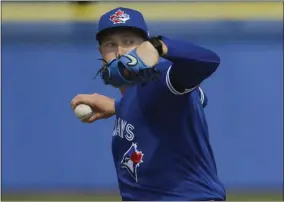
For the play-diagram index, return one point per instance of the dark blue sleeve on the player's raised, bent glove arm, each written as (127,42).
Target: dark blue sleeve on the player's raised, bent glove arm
(192,63)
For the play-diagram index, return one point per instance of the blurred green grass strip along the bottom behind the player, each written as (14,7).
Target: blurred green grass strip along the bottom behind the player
(113,197)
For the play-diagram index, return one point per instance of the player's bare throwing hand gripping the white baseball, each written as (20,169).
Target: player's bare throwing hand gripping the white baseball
(102,106)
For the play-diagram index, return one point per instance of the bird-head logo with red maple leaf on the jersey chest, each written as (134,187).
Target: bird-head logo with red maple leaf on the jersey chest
(131,160)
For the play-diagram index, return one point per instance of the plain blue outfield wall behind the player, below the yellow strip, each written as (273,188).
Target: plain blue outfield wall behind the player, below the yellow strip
(45,146)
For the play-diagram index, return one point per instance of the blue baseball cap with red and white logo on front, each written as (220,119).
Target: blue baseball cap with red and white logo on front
(122,17)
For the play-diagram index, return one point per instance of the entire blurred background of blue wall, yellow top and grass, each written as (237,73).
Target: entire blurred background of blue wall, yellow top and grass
(49,54)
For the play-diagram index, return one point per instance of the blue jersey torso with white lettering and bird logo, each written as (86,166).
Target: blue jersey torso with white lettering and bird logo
(161,147)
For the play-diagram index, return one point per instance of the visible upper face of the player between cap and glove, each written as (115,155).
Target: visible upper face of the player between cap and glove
(119,43)
